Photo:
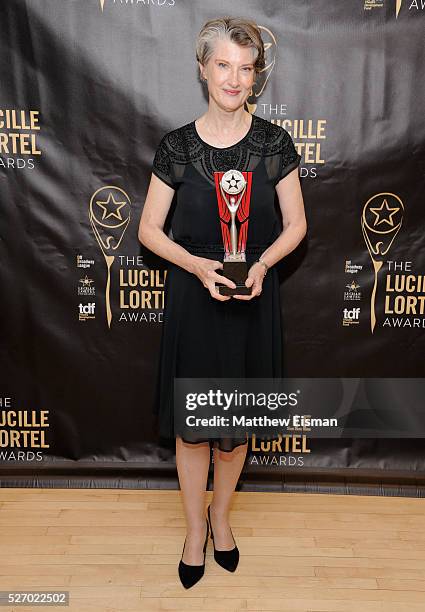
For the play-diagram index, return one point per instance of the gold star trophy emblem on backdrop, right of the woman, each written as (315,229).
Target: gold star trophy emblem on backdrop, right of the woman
(381,221)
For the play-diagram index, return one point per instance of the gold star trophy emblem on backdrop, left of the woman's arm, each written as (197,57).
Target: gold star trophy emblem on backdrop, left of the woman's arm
(109,214)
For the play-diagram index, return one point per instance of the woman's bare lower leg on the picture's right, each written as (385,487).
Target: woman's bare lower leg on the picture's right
(227,469)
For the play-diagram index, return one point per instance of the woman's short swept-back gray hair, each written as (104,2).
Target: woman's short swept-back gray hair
(243,32)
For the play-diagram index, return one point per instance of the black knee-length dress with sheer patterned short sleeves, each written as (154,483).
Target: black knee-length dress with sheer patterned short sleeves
(203,337)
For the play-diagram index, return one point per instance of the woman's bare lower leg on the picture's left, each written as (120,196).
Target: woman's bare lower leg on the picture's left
(193,461)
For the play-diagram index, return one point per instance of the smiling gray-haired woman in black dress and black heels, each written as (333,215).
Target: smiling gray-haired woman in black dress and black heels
(205,333)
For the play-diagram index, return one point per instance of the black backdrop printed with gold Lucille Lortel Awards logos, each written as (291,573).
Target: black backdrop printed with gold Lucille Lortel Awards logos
(88,89)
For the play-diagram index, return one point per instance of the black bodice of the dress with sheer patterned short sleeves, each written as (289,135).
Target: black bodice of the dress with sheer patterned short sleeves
(187,164)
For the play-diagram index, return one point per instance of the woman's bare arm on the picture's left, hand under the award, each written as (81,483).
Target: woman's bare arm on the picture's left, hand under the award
(151,234)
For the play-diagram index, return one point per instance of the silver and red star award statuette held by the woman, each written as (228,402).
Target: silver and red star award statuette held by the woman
(233,190)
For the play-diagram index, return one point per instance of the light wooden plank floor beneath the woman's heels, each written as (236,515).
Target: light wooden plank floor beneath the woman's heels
(118,550)
